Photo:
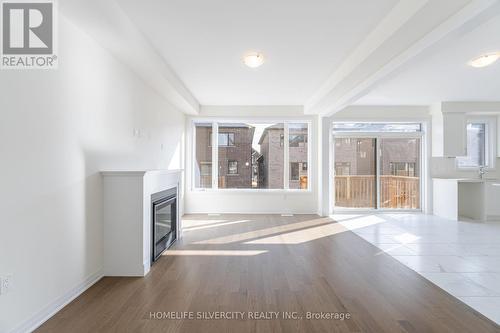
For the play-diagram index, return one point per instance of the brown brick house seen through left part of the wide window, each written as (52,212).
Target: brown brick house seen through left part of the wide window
(235,155)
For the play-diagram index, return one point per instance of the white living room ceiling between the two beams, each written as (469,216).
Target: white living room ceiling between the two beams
(303,42)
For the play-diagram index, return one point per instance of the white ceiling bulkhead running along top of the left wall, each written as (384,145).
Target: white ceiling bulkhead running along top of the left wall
(107,23)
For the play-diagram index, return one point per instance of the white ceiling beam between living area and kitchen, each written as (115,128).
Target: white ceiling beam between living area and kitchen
(410,28)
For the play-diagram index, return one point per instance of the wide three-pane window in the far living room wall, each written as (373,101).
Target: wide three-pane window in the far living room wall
(251,155)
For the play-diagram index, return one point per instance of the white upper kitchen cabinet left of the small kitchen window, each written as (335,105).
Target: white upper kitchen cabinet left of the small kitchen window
(454,134)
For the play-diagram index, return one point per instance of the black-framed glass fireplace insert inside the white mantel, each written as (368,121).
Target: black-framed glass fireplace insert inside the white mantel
(164,221)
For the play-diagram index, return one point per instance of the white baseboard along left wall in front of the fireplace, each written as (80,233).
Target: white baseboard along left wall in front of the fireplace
(45,314)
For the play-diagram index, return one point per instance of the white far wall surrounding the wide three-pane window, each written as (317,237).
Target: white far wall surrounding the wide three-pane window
(247,201)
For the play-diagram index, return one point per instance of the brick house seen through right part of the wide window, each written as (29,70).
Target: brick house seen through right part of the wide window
(272,150)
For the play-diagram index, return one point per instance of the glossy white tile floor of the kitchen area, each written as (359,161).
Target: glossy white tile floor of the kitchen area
(462,258)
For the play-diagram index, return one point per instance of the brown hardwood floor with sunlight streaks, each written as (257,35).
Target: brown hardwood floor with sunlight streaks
(269,263)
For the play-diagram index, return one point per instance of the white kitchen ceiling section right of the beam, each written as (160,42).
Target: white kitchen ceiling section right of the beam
(442,74)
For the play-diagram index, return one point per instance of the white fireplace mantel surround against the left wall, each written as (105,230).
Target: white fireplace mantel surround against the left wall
(127,217)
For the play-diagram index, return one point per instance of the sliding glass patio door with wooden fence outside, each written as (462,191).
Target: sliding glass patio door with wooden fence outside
(377,166)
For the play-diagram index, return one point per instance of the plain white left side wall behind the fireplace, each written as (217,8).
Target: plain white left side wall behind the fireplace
(58,129)
